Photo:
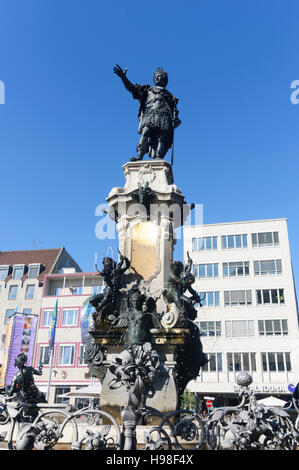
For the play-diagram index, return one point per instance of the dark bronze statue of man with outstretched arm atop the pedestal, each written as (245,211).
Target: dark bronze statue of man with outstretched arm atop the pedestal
(158,114)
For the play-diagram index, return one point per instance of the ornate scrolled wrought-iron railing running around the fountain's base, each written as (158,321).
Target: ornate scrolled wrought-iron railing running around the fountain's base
(249,425)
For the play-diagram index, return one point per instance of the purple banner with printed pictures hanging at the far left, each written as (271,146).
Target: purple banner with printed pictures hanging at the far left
(22,340)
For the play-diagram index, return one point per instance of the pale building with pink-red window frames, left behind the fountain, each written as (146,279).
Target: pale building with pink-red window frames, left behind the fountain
(72,291)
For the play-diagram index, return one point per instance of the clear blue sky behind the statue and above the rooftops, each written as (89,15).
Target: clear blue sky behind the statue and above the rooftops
(68,125)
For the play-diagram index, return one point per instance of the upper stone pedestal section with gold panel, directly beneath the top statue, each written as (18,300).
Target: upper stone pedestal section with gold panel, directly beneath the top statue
(148,209)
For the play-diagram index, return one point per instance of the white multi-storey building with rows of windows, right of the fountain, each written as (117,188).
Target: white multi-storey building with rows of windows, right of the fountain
(249,315)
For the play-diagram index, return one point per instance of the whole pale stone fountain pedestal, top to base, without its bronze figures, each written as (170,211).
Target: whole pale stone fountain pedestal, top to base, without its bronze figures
(147,210)
